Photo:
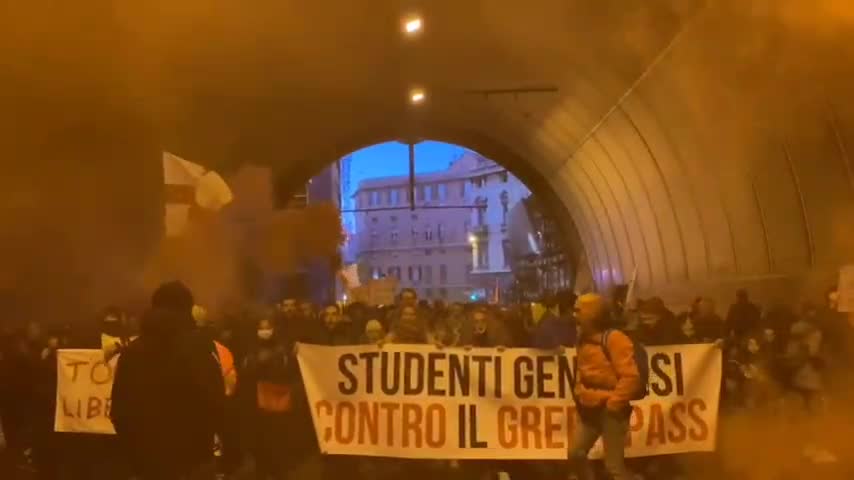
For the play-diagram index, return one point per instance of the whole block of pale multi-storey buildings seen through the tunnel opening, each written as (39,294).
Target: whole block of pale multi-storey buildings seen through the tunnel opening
(453,245)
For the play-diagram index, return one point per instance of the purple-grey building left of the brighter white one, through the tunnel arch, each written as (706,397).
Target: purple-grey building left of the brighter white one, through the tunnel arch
(425,248)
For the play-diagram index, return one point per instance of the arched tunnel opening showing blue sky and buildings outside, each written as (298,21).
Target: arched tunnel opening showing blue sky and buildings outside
(453,209)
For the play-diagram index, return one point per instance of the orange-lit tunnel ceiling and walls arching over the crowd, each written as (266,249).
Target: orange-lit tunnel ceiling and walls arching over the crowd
(705,145)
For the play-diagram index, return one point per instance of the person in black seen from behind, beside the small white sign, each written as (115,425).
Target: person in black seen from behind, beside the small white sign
(168,394)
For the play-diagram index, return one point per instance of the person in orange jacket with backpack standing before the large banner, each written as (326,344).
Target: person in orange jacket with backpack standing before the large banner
(603,389)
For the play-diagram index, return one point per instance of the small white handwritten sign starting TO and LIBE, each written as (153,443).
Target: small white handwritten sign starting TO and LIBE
(83,389)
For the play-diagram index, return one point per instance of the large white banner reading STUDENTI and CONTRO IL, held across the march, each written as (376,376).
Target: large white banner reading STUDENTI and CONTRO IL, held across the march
(415,401)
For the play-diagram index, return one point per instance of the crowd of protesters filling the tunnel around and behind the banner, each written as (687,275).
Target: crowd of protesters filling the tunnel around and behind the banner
(236,379)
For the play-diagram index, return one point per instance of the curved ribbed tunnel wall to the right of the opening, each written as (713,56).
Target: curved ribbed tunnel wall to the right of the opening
(728,164)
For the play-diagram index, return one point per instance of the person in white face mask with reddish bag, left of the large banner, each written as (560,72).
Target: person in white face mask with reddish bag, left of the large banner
(267,376)
